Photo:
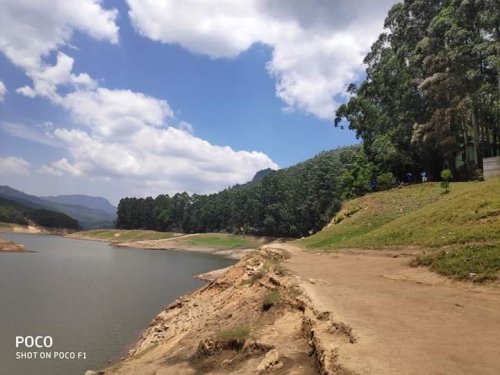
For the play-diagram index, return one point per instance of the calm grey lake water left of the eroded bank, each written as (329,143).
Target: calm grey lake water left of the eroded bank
(90,297)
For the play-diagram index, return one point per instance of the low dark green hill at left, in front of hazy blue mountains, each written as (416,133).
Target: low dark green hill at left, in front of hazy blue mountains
(14,212)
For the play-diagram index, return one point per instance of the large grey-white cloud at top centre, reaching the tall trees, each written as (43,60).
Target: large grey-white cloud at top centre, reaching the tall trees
(318,45)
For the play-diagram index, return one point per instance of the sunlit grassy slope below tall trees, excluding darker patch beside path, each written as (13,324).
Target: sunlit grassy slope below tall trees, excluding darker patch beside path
(418,215)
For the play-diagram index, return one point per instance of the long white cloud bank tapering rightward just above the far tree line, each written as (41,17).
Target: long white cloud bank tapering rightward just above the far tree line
(165,157)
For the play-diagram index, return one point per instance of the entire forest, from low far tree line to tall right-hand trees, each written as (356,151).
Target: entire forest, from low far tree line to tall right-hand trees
(429,101)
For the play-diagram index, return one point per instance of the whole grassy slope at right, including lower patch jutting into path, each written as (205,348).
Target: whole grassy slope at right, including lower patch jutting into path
(465,222)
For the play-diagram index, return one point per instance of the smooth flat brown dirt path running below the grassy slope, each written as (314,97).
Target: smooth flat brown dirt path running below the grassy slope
(406,320)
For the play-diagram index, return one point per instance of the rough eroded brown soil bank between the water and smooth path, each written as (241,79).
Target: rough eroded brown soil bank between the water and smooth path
(190,335)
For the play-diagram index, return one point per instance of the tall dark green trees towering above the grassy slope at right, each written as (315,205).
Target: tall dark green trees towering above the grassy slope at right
(432,88)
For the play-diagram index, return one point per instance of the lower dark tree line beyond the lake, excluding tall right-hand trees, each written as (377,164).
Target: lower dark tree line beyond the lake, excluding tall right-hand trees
(291,202)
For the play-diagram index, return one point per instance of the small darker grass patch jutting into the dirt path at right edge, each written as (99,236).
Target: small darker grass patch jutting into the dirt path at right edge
(477,263)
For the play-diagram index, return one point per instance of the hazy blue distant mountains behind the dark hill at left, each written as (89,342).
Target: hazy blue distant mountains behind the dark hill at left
(87,214)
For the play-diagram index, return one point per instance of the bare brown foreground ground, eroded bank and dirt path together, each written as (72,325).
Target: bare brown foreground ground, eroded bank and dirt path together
(283,310)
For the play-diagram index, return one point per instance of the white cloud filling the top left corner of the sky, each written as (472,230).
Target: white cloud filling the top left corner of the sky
(30,30)
